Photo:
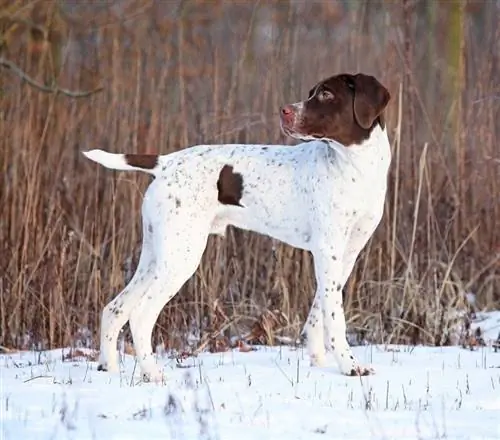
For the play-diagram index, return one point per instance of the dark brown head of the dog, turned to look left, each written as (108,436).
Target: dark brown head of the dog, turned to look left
(344,108)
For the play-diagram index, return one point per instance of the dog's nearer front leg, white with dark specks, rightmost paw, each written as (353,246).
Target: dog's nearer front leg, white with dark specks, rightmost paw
(329,276)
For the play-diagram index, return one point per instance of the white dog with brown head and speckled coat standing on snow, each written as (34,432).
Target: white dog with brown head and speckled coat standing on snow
(324,195)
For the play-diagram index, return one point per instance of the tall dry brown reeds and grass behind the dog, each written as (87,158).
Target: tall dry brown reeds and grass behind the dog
(177,73)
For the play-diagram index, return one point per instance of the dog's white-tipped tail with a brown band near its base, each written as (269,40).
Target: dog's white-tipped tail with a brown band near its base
(149,163)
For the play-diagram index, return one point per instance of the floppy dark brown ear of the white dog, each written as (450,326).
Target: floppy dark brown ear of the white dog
(370,99)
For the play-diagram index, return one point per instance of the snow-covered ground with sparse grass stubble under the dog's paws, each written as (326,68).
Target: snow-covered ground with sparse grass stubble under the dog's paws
(270,393)
